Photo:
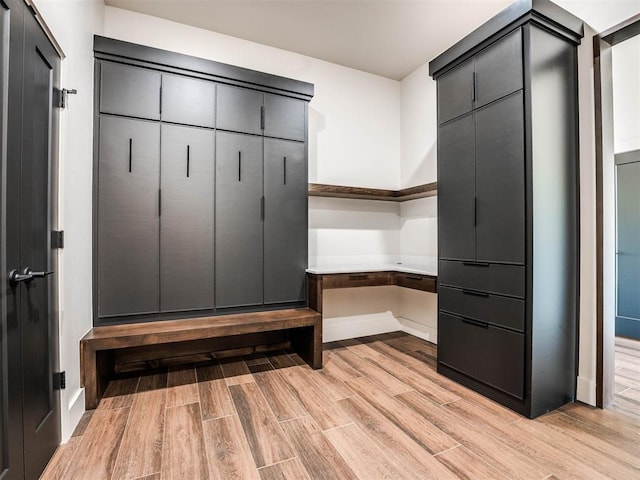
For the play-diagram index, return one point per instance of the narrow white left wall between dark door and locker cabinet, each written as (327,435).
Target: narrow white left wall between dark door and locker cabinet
(73,23)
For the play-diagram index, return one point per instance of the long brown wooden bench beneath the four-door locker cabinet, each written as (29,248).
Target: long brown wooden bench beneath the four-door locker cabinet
(302,325)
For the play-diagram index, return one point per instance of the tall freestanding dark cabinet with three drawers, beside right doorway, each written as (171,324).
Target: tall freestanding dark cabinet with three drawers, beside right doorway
(508,207)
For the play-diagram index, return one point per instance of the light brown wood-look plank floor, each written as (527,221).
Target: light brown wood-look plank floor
(377,410)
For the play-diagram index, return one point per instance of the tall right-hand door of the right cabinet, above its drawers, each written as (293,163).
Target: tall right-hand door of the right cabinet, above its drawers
(500,234)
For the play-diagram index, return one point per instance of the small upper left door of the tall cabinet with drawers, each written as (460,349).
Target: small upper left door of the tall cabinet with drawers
(455,92)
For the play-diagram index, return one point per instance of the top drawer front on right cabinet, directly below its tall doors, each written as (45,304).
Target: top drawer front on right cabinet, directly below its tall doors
(483,277)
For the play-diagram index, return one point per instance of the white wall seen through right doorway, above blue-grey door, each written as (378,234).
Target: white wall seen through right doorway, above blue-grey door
(626,95)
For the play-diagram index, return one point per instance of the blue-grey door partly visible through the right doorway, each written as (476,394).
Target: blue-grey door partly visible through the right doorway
(628,245)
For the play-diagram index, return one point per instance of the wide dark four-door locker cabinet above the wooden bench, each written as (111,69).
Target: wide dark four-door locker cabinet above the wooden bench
(200,187)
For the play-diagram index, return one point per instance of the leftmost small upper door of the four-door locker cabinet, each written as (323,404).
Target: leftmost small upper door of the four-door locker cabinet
(130,91)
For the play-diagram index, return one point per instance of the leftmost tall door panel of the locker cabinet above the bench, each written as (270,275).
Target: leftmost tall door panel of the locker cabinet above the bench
(128,176)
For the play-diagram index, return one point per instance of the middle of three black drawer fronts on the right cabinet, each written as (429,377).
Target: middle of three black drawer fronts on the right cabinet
(494,309)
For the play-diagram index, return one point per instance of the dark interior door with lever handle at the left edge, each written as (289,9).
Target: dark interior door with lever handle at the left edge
(29,286)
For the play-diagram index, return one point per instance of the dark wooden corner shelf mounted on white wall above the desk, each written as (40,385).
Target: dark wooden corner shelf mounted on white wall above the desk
(340,191)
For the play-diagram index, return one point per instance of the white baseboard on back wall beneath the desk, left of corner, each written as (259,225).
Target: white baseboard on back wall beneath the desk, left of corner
(340,328)
